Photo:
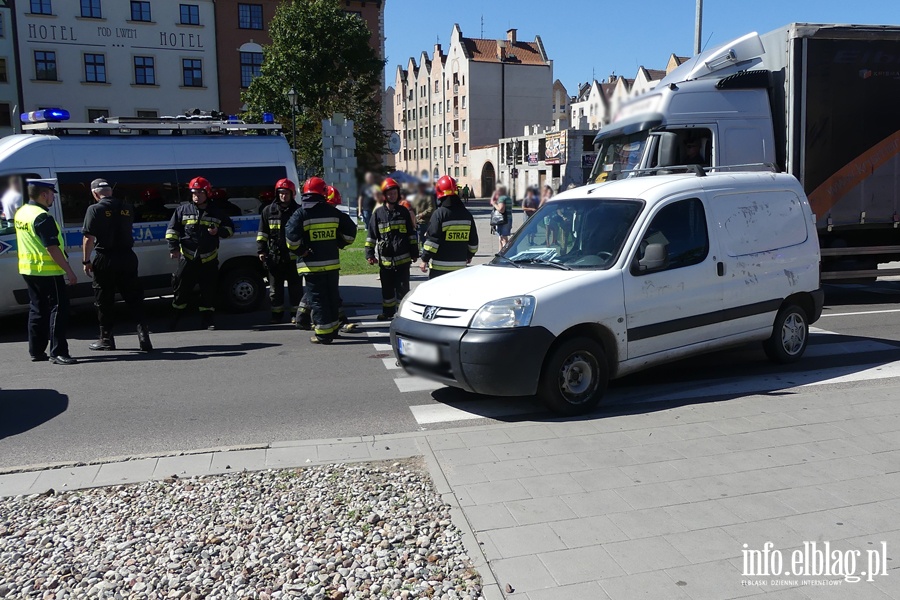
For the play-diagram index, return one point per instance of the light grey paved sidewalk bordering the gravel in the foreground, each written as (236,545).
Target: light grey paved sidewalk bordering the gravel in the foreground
(655,504)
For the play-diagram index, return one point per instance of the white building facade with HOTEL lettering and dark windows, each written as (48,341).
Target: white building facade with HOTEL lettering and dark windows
(113,58)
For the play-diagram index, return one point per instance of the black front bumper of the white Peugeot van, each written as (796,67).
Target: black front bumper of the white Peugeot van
(504,362)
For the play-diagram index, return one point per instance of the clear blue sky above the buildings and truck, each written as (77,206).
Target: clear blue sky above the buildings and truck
(589,39)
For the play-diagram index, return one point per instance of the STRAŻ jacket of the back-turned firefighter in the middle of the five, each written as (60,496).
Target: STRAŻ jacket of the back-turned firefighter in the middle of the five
(316,232)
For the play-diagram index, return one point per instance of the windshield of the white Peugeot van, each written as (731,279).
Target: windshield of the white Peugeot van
(573,234)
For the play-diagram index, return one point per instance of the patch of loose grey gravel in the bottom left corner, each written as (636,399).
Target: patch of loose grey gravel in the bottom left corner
(363,530)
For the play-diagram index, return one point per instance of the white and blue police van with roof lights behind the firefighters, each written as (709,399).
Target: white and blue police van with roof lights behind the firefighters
(149,163)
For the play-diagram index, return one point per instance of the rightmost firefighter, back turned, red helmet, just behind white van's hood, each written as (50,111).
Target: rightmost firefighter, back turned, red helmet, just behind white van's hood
(452,240)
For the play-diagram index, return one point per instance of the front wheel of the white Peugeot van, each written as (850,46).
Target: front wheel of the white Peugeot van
(575,377)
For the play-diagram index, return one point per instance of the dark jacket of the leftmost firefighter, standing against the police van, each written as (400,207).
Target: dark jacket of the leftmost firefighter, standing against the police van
(189,231)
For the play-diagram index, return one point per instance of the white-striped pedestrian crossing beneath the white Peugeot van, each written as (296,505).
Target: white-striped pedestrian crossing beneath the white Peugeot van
(823,344)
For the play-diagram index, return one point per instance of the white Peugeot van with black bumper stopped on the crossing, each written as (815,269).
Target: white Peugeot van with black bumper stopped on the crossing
(621,276)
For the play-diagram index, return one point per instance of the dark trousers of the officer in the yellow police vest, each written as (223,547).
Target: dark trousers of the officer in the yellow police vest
(48,316)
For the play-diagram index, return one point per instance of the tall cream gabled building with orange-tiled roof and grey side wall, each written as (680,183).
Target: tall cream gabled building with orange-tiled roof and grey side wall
(478,92)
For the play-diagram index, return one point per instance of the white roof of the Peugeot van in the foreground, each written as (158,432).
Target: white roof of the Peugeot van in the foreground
(659,187)
